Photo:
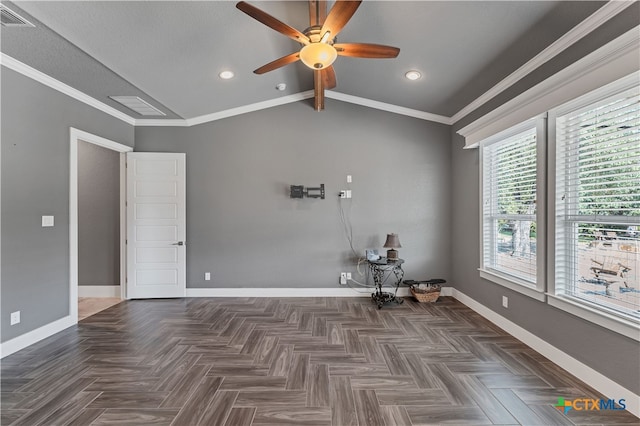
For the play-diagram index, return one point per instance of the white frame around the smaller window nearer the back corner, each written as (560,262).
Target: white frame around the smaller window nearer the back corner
(534,290)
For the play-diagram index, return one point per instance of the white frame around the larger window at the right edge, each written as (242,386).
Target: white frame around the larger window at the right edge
(557,297)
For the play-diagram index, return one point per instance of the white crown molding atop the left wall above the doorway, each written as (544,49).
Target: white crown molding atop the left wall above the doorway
(40,77)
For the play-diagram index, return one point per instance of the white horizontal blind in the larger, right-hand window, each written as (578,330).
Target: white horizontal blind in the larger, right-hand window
(598,204)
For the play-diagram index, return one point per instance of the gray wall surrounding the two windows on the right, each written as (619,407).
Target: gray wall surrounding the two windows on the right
(613,355)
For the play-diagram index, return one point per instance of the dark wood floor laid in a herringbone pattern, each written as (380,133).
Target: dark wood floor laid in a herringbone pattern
(263,361)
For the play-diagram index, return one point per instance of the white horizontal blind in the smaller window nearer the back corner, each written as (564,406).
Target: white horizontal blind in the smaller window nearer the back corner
(509,206)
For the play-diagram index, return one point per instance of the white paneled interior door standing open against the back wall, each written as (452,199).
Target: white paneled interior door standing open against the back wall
(156,225)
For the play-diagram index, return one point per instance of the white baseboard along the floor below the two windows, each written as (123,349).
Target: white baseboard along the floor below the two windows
(582,371)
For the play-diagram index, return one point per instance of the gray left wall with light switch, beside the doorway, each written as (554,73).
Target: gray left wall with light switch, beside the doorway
(35,182)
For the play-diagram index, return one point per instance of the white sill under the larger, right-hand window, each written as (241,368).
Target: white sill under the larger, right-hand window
(626,327)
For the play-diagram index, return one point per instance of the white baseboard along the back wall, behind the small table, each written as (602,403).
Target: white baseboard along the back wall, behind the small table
(287,292)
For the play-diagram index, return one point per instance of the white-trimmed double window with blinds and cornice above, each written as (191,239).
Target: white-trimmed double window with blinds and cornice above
(583,252)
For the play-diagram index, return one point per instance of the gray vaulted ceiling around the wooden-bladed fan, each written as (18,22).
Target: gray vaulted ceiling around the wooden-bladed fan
(170,53)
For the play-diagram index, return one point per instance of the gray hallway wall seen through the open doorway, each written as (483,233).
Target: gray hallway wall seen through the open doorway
(98,215)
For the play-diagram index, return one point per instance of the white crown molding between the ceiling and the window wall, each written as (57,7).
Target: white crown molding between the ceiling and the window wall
(599,17)
